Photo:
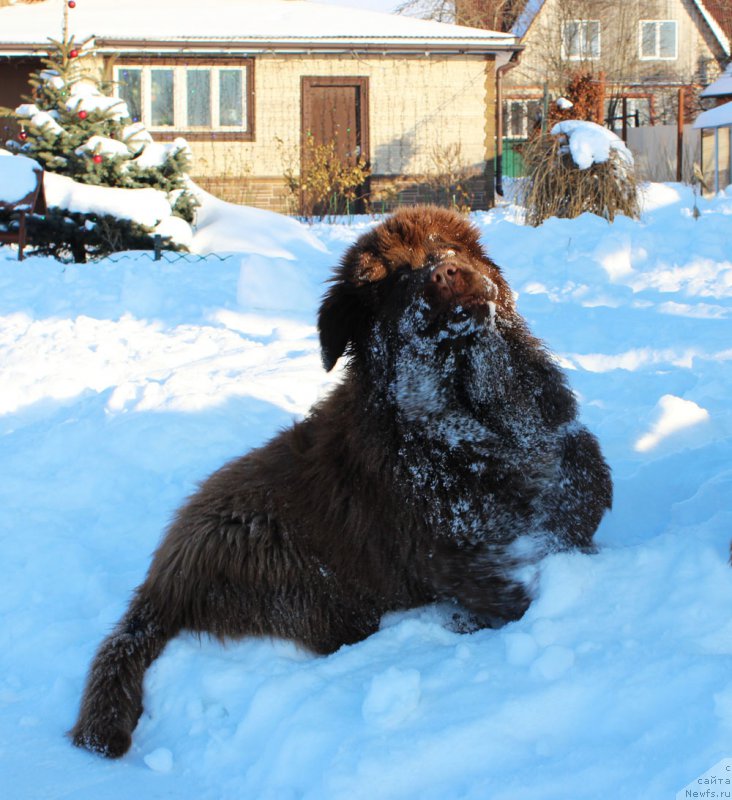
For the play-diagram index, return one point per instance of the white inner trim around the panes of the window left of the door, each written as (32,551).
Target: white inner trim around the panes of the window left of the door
(180,97)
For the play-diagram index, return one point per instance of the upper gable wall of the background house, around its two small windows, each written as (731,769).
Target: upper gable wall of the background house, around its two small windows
(699,54)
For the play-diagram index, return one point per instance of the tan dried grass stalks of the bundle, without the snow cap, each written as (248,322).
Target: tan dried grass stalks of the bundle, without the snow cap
(557,187)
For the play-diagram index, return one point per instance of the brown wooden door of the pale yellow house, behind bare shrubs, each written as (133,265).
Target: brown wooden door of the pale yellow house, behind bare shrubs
(335,110)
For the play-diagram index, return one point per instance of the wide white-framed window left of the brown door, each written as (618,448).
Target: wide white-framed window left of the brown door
(192,99)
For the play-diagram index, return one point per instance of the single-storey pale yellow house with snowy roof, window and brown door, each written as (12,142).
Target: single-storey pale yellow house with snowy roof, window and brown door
(249,82)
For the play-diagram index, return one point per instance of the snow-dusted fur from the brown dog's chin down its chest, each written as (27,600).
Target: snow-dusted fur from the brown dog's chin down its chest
(458,405)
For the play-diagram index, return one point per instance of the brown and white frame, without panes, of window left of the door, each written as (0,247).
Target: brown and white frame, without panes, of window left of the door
(180,67)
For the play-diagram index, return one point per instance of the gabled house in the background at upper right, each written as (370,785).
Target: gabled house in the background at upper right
(644,50)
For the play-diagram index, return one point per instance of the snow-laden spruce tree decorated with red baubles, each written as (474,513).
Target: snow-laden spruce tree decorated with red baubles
(74,124)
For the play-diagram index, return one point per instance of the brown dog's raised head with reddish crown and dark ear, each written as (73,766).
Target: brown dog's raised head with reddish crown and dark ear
(424,256)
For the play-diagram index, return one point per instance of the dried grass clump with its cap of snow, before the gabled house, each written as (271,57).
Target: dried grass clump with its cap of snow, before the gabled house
(579,166)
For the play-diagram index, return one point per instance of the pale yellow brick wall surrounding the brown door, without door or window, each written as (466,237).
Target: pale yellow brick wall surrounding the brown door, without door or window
(420,107)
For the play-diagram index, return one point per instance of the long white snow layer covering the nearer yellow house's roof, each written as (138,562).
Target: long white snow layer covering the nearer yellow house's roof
(260,22)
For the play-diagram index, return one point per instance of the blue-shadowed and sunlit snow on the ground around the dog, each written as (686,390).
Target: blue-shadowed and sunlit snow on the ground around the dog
(126,382)
